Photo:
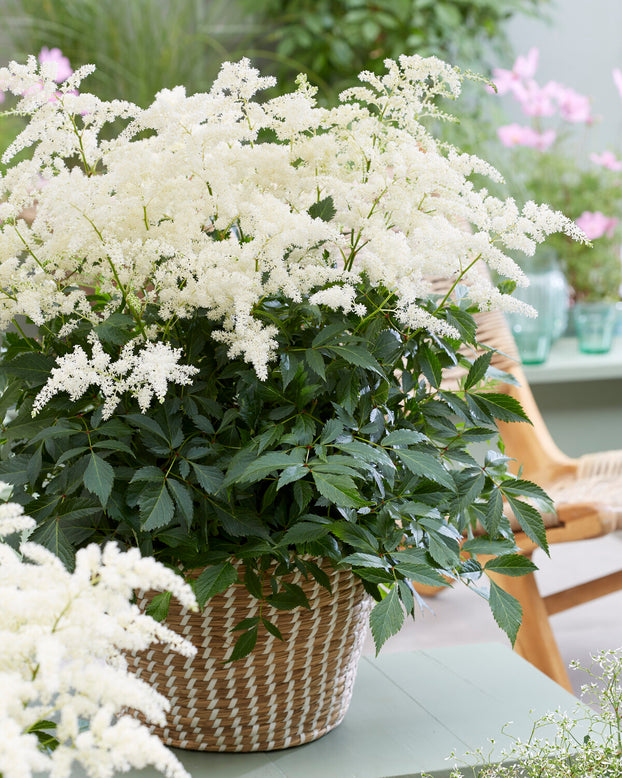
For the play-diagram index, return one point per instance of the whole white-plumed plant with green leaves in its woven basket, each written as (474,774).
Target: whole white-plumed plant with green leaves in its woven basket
(238,363)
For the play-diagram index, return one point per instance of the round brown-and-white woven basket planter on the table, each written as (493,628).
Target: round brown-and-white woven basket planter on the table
(284,693)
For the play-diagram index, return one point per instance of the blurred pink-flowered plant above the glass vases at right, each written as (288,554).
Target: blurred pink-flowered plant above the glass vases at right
(548,162)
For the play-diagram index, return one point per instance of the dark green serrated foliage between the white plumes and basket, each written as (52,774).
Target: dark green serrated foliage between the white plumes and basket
(348,451)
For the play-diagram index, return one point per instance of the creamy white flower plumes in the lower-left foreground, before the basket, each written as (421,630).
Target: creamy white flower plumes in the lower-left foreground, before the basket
(62,638)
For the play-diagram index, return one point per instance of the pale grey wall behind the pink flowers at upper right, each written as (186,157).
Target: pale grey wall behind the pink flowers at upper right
(579,47)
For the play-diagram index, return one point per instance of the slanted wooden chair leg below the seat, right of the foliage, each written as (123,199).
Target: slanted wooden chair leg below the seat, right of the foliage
(536,642)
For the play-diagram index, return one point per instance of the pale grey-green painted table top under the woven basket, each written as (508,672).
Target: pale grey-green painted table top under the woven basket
(409,712)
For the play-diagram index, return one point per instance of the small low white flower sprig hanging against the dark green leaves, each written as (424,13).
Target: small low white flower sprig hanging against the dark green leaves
(143,375)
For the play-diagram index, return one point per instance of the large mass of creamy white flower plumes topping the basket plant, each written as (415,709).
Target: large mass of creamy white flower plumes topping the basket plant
(202,205)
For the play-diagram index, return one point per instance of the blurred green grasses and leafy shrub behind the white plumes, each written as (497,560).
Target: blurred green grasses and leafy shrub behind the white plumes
(142,46)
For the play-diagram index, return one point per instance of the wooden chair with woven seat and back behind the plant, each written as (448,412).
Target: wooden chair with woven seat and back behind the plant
(587,493)
